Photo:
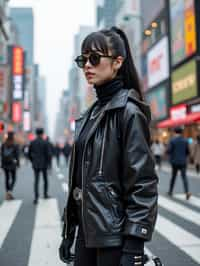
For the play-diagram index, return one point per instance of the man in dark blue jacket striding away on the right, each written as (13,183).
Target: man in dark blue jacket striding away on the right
(178,151)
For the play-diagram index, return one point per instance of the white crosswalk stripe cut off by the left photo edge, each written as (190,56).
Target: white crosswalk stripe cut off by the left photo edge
(8,213)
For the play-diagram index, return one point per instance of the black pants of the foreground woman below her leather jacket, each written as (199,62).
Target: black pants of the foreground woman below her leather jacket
(109,256)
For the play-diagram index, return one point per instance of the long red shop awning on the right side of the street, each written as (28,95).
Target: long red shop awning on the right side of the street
(189,119)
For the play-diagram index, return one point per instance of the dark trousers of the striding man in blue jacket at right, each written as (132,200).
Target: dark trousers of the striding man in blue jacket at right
(175,169)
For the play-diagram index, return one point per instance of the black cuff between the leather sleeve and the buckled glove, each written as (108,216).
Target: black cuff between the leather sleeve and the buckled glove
(134,245)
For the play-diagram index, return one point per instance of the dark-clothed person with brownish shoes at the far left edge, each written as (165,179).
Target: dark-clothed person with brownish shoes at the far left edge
(9,163)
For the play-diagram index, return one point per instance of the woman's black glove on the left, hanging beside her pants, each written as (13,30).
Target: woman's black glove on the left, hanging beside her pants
(64,251)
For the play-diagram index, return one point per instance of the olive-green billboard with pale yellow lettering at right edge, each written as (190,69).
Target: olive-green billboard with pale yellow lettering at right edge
(184,82)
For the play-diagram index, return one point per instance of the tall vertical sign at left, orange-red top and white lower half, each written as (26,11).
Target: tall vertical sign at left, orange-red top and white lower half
(17,72)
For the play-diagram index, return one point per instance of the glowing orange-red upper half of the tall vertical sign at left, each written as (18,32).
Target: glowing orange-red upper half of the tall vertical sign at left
(18,61)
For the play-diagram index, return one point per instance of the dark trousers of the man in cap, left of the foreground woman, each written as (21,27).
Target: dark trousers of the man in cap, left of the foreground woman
(36,184)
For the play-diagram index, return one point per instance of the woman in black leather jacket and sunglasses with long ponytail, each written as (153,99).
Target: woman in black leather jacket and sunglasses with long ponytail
(112,182)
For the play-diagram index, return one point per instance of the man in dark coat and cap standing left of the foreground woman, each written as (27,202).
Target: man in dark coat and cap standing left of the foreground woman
(39,155)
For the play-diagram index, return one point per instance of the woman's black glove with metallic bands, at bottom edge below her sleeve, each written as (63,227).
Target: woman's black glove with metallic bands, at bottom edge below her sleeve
(132,259)
